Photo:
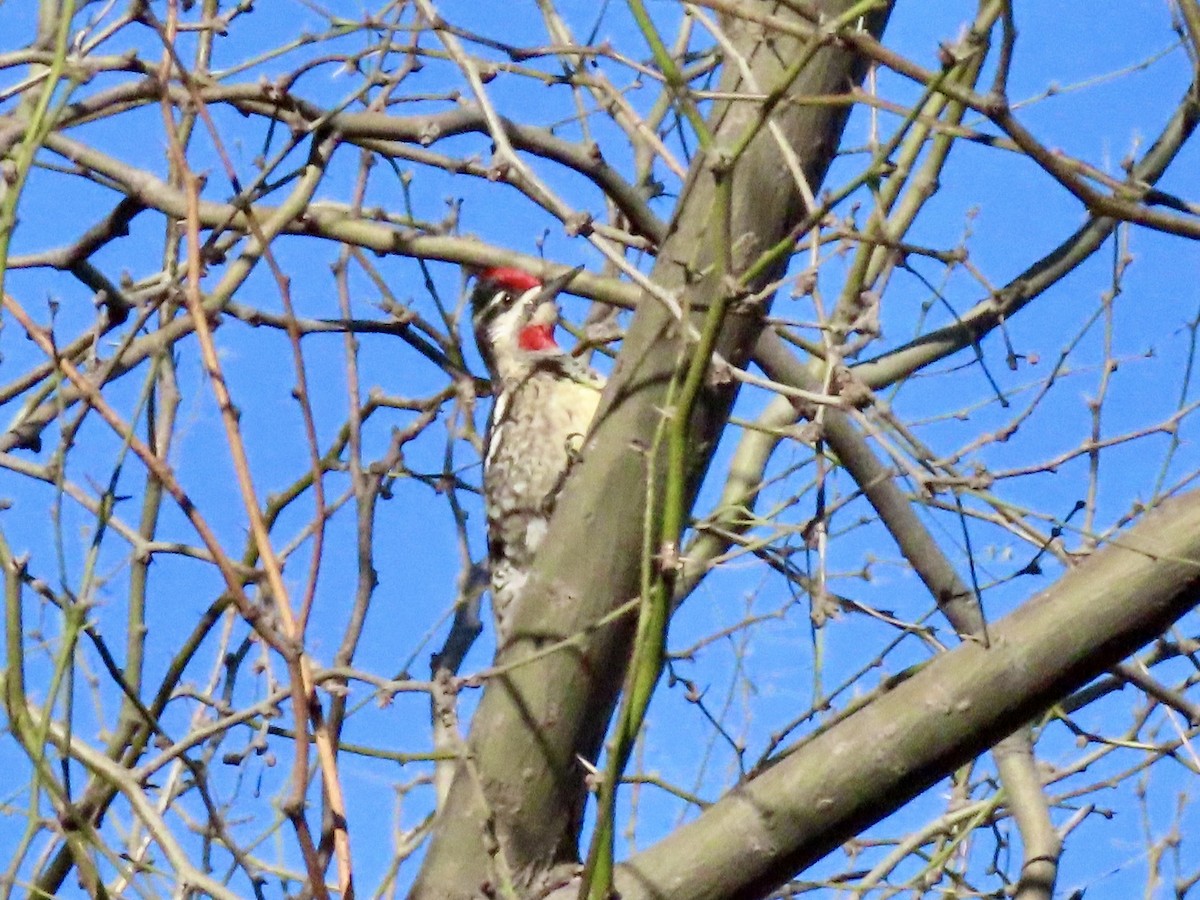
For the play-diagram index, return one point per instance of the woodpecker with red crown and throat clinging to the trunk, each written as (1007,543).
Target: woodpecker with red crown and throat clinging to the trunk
(544,403)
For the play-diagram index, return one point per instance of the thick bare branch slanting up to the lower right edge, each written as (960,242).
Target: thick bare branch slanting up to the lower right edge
(863,769)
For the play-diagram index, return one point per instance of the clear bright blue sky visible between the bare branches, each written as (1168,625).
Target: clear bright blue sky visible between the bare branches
(763,676)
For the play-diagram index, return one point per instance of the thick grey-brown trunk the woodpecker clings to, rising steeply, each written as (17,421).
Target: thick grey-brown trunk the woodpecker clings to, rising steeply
(515,807)
